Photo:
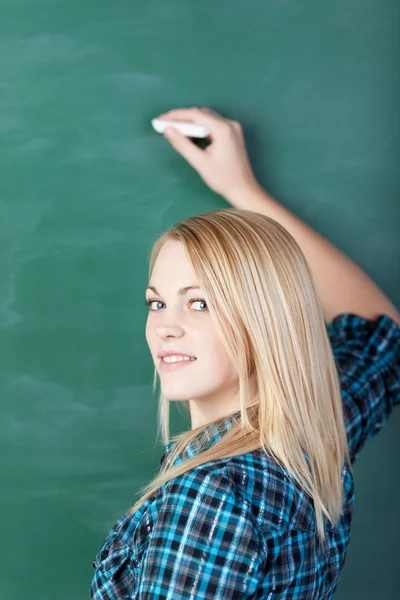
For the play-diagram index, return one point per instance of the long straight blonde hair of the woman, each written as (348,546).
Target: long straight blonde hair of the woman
(262,298)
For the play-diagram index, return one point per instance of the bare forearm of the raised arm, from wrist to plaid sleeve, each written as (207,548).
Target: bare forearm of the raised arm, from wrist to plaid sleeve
(342,285)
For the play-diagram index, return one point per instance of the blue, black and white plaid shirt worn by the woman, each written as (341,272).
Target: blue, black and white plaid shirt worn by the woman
(241,528)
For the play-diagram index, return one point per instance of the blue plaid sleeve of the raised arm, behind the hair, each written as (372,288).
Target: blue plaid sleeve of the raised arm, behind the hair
(367,355)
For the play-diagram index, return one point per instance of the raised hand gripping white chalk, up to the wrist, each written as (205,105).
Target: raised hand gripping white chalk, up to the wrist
(224,164)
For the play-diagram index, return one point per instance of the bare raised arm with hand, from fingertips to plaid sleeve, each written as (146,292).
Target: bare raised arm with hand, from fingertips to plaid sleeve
(342,285)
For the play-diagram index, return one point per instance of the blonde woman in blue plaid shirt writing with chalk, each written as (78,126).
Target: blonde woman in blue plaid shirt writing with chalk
(285,375)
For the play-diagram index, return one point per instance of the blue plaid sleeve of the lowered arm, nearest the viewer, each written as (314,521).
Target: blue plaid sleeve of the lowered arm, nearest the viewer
(204,544)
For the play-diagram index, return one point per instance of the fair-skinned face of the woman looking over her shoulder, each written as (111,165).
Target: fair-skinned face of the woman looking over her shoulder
(181,321)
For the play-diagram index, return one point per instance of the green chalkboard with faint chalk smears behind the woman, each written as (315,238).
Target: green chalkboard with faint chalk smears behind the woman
(86,186)
